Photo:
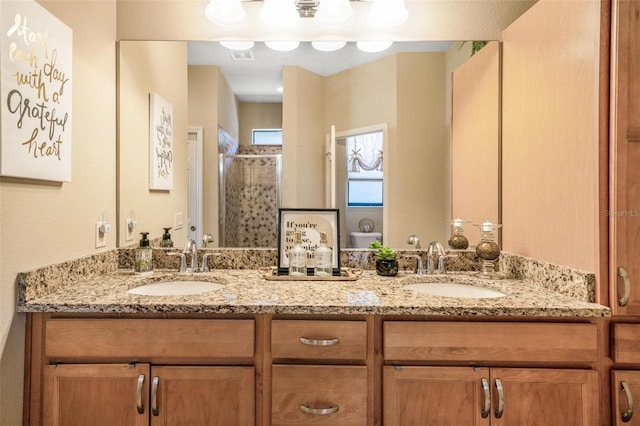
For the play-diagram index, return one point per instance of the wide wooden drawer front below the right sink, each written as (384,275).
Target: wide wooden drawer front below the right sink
(490,341)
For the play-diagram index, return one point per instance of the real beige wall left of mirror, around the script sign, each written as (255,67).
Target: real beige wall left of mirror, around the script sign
(43,223)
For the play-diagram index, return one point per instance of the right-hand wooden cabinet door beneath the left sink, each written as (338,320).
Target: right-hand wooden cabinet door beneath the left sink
(204,396)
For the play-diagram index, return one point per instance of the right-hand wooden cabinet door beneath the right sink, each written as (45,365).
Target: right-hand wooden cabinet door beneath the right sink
(544,397)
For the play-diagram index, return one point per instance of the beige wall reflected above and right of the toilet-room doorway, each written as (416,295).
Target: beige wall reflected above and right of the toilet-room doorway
(406,92)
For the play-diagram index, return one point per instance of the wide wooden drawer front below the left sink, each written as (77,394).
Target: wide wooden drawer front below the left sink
(143,339)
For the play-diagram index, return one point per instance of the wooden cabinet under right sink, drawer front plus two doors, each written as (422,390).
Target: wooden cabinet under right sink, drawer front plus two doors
(523,393)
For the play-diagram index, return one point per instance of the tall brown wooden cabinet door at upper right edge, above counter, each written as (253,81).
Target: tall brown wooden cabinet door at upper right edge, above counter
(625,157)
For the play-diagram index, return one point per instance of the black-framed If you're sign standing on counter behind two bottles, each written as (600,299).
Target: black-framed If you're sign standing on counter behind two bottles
(310,222)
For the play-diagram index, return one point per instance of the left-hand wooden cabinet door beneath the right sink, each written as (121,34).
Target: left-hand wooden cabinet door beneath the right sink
(439,396)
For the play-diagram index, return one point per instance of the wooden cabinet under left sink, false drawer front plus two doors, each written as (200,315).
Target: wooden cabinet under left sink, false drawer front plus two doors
(103,371)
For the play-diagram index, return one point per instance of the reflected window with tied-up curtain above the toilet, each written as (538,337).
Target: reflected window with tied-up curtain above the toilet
(364,170)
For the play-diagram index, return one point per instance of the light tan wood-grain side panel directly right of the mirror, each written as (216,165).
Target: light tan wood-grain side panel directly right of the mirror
(550,131)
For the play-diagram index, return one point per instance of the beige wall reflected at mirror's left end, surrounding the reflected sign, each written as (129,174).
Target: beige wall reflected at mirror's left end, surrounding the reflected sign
(142,70)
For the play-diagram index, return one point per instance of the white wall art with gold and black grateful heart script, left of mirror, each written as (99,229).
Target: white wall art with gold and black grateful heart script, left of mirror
(35,93)
